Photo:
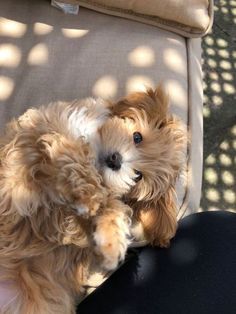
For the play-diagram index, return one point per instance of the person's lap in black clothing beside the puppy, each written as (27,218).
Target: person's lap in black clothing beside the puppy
(197,274)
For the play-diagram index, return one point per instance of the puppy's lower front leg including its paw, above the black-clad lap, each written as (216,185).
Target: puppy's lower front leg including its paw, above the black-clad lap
(112,235)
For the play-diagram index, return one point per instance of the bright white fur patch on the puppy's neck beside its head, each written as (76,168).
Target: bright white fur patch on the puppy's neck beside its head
(86,120)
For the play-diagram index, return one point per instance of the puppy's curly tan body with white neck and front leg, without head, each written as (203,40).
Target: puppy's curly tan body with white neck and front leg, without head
(58,216)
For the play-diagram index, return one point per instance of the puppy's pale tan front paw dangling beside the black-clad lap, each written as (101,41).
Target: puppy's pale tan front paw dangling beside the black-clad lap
(111,242)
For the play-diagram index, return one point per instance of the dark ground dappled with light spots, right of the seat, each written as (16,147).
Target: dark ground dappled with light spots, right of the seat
(219,63)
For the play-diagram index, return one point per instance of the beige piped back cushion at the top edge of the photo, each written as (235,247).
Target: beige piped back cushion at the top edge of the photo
(191,18)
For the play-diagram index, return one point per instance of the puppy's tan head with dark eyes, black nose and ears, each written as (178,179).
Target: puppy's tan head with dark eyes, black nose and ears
(143,151)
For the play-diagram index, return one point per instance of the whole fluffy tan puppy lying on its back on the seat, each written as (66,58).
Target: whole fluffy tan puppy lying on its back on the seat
(65,172)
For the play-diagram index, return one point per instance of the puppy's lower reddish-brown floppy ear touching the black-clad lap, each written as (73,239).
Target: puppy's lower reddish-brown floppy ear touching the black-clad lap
(158,218)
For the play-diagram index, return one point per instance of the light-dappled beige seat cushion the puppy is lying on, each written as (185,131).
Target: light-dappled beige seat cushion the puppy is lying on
(47,56)
